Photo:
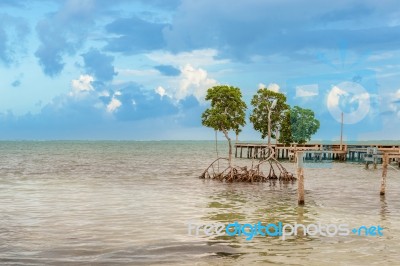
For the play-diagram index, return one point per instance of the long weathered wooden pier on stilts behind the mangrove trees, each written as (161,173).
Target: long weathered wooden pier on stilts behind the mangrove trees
(340,152)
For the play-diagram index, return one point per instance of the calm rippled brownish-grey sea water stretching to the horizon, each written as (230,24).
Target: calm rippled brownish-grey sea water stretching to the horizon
(131,203)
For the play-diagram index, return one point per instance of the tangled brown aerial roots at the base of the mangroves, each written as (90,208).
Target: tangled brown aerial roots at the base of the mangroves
(252,174)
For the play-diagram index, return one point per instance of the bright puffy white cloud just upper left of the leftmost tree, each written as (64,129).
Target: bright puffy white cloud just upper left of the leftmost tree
(193,81)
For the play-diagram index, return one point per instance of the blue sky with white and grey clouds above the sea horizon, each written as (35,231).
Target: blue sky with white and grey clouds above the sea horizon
(140,69)
